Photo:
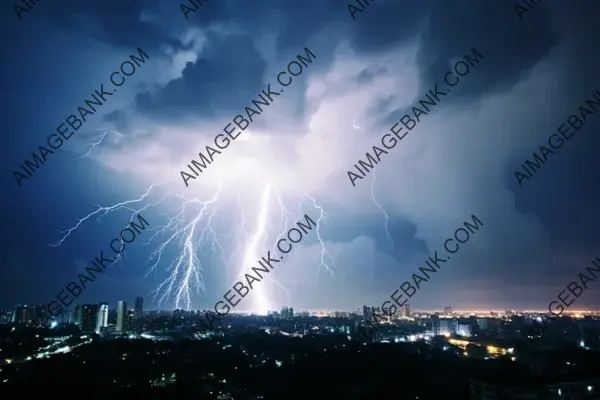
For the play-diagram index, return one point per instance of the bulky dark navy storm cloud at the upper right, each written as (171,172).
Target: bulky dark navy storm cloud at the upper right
(447,32)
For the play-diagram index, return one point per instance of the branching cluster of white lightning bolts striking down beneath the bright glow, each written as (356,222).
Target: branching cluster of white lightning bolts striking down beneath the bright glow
(191,227)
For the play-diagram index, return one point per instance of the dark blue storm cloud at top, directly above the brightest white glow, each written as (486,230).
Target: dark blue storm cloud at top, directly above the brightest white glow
(234,62)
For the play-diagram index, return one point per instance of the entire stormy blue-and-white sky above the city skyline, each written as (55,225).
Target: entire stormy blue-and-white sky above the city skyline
(203,71)
